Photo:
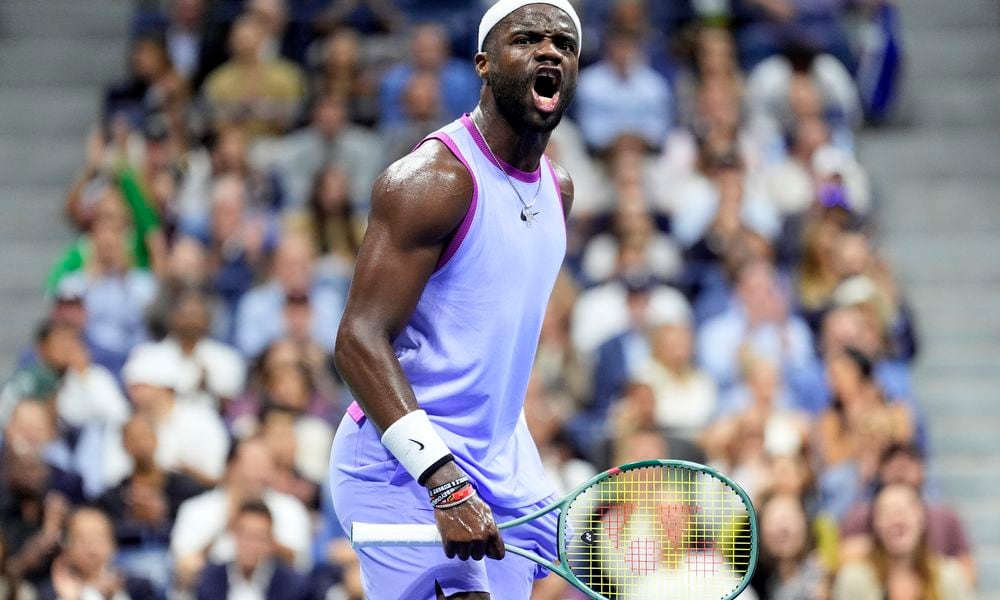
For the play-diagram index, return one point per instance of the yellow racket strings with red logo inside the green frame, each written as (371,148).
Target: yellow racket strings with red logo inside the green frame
(659,531)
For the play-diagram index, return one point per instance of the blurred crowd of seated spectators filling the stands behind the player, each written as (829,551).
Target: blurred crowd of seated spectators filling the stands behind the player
(724,300)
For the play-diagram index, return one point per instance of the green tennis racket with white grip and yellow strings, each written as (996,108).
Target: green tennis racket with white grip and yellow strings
(647,530)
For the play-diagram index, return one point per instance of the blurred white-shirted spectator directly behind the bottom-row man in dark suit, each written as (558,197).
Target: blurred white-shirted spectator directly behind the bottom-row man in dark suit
(202,532)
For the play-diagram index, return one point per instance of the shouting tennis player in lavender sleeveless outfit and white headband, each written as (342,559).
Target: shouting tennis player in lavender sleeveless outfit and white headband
(465,239)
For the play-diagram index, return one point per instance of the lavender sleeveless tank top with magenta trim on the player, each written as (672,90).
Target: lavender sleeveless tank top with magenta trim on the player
(469,348)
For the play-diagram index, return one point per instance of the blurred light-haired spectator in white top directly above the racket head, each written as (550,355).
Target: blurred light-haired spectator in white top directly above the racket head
(685,395)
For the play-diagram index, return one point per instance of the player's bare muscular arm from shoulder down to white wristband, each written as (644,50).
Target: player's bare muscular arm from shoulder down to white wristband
(416,204)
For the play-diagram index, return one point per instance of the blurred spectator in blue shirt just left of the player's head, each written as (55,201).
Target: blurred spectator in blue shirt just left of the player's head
(458,86)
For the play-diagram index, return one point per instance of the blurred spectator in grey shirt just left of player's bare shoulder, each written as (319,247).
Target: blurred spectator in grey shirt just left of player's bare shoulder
(329,140)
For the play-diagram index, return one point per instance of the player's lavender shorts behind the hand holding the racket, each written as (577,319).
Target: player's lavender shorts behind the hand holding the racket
(361,472)
